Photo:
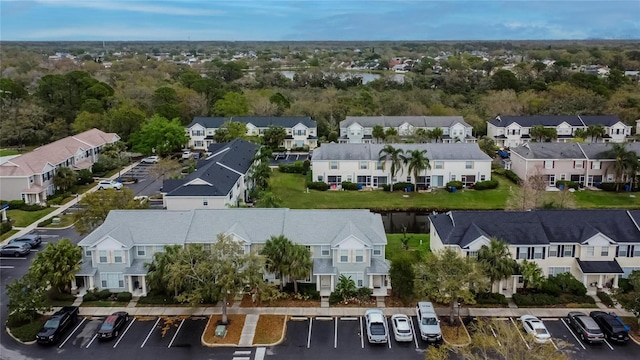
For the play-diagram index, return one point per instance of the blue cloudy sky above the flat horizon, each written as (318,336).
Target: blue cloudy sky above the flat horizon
(305,20)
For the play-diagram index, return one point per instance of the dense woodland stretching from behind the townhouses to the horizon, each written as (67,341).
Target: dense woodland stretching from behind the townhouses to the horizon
(119,87)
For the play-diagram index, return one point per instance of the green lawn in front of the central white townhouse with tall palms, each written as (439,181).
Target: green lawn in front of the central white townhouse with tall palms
(290,188)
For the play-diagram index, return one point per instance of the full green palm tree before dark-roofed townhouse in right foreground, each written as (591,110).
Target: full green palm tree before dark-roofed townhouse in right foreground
(496,261)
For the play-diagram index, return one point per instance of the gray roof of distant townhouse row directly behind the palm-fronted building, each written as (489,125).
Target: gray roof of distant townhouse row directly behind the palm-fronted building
(395,121)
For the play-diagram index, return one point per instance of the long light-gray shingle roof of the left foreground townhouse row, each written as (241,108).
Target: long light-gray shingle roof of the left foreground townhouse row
(307,227)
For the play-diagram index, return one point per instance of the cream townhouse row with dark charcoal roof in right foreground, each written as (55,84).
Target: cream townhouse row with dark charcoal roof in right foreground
(598,247)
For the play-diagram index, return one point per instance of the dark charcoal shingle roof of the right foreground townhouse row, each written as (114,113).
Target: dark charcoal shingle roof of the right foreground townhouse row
(536,227)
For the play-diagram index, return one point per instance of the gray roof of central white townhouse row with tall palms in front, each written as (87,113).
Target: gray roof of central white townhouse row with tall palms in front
(435,151)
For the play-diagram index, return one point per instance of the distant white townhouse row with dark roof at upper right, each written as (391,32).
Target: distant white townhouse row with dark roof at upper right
(510,131)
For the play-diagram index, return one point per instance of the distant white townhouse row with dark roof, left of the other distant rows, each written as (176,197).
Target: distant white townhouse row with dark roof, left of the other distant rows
(302,132)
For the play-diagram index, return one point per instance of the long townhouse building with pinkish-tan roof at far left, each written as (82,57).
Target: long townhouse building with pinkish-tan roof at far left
(29,177)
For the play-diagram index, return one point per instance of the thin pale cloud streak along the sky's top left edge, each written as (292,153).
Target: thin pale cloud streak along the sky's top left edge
(133,6)
